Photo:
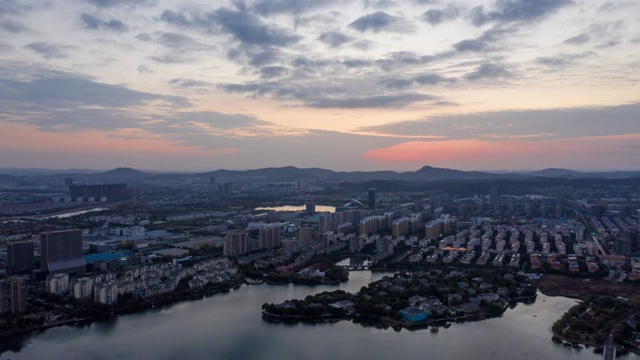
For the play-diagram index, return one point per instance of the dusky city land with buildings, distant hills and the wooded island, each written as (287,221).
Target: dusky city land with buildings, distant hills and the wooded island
(451,248)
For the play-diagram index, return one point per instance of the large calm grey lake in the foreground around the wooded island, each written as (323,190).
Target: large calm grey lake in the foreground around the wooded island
(230,326)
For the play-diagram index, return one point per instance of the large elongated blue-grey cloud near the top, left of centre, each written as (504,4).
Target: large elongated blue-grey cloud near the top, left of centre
(244,27)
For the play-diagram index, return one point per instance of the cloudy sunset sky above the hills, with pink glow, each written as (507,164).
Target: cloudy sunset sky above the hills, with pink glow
(338,84)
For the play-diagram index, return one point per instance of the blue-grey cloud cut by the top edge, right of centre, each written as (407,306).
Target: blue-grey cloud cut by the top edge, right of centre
(508,11)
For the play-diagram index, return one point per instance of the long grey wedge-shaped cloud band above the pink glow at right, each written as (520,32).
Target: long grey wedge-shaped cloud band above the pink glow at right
(530,125)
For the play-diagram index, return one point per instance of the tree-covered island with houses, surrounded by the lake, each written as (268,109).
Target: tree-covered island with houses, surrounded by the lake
(414,299)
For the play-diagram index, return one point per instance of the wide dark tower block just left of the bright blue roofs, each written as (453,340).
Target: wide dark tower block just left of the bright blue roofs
(61,252)
